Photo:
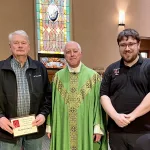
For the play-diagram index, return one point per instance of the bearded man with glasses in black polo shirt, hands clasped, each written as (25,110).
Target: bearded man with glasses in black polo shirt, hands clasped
(125,93)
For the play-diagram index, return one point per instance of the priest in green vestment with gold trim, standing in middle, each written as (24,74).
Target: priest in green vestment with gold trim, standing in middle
(76,118)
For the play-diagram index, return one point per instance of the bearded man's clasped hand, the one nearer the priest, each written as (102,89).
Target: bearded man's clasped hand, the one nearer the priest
(121,120)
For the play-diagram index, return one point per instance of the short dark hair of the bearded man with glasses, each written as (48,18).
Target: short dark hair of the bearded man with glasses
(127,33)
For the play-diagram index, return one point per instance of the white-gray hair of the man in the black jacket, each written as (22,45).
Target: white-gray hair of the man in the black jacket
(18,32)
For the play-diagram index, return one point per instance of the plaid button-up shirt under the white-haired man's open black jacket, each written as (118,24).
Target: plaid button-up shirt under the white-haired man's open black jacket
(23,97)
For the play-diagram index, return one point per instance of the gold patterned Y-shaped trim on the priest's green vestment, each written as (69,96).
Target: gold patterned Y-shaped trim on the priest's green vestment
(73,99)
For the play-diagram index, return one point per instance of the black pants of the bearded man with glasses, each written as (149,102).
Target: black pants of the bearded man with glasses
(127,141)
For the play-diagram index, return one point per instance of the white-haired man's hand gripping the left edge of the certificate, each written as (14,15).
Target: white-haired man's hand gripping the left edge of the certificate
(6,125)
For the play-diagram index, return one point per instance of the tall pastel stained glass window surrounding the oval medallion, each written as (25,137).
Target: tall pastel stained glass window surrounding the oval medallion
(52,36)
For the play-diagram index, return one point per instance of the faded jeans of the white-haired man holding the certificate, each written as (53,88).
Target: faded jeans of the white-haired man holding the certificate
(32,144)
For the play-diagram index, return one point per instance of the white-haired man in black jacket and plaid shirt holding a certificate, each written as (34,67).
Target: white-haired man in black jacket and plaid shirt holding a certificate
(24,91)
